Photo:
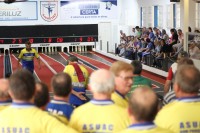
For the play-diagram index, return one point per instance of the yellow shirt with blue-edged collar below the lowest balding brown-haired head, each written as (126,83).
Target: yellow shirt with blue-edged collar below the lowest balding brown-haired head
(145,128)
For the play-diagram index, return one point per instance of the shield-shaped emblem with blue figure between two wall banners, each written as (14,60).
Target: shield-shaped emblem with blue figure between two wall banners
(49,10)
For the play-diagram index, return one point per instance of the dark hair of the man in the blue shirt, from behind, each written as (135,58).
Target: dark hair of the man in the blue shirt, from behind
(62,84)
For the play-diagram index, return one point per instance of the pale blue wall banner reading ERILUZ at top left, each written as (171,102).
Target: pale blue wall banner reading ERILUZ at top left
(18,11)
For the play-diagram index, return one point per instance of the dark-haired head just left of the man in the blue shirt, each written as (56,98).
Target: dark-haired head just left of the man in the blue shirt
(41,97)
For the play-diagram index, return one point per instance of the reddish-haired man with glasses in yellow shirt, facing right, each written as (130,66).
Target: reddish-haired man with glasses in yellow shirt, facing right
(123,81)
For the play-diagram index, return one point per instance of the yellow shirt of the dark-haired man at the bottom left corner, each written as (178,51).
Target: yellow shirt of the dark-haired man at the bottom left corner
(26,118)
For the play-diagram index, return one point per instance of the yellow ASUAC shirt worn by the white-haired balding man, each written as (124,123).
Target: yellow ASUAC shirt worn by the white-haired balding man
(99,116)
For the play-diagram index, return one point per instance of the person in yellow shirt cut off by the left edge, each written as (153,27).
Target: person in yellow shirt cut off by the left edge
(5,99)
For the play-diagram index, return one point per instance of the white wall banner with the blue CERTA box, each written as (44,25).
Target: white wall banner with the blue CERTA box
(88,9)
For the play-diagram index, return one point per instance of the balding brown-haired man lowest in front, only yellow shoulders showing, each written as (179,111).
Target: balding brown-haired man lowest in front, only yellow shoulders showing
(142,109)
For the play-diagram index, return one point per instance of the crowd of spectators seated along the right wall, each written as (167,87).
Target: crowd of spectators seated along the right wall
(156,44)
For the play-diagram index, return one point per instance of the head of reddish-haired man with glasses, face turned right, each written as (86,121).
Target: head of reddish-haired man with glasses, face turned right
(123,76)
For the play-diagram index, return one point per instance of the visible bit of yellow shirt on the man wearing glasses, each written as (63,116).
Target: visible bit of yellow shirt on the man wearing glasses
(120,100)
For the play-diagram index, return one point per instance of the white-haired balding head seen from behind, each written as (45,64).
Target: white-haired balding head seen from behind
(102,81)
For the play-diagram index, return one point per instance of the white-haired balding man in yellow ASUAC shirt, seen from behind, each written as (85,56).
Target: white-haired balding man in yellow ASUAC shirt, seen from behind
(100,115)
